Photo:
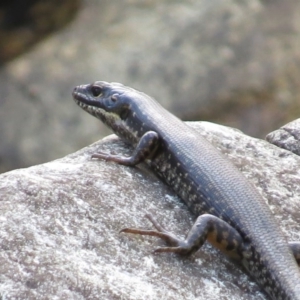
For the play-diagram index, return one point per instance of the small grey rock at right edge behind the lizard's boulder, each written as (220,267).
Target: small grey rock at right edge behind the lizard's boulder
(287,137)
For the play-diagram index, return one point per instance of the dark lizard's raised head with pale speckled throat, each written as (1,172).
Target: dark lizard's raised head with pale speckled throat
(114,104)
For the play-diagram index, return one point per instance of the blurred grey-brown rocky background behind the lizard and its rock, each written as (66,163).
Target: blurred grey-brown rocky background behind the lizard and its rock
(236,63)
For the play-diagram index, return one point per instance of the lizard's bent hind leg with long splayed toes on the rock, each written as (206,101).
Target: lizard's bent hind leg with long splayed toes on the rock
(207,227)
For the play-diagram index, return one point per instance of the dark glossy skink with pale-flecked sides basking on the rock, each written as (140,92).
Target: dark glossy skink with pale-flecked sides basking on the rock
(231,213)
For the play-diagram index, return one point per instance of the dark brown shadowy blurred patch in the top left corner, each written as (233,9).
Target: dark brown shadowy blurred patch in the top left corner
(24,23)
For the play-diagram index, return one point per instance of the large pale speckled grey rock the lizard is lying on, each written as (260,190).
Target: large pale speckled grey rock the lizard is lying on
(60,222)
